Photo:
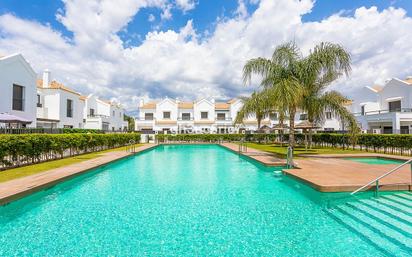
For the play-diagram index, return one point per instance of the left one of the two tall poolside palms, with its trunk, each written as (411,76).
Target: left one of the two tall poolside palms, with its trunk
(281,76)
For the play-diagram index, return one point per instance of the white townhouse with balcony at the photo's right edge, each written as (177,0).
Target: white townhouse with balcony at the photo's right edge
(387,109)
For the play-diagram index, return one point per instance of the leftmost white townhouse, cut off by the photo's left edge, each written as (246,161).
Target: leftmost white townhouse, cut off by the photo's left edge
(18,88)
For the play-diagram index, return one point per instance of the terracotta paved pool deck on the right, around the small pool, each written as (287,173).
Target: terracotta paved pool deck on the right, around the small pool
(333,173)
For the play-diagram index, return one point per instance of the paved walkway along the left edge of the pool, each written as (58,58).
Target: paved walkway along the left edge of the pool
(18,188)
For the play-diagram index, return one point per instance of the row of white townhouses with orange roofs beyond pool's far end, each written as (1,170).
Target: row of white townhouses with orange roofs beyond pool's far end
(207,116)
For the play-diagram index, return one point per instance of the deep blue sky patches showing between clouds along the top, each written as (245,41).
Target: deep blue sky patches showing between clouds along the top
(204,15)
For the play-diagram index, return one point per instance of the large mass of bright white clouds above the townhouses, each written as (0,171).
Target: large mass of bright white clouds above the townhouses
(182,64)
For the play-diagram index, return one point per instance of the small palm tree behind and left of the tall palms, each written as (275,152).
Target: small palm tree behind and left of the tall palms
(257,104)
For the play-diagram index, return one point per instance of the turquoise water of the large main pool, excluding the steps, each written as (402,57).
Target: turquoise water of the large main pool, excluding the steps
(177,201)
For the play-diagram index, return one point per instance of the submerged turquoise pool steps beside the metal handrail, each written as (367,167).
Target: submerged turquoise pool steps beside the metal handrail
(384,222)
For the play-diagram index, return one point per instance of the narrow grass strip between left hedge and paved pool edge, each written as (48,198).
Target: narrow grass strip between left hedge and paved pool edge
(44,166)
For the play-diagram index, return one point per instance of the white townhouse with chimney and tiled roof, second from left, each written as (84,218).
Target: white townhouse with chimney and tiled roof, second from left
(57,105)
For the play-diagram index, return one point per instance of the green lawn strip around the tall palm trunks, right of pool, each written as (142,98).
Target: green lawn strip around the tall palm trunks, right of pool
(299,150)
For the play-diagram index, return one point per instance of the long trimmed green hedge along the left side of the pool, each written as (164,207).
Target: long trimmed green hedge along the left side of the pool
(32,148)
